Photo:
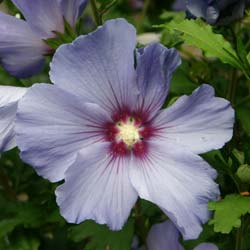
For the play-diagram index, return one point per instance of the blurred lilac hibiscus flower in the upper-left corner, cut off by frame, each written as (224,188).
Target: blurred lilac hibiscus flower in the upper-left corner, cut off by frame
(22,46)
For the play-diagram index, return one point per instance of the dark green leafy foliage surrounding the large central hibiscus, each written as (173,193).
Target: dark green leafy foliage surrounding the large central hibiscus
(29,216)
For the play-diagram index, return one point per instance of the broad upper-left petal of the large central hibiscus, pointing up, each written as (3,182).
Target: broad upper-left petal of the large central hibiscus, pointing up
(99,67)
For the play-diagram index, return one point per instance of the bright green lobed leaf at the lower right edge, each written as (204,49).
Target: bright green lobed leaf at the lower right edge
(228,212)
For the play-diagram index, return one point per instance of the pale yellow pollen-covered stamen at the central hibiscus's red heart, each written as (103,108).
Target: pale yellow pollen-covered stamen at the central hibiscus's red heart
(128,132)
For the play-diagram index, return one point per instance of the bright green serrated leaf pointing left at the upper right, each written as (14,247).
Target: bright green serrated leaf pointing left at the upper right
(201,35)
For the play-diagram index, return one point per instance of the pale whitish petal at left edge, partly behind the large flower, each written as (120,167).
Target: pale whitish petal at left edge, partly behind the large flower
(9,97)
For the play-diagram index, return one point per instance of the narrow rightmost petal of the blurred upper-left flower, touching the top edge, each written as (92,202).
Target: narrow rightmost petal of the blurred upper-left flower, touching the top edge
(72,9)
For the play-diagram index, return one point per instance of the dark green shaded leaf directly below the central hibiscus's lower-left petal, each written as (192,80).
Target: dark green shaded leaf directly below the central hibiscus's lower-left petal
(101,237)
